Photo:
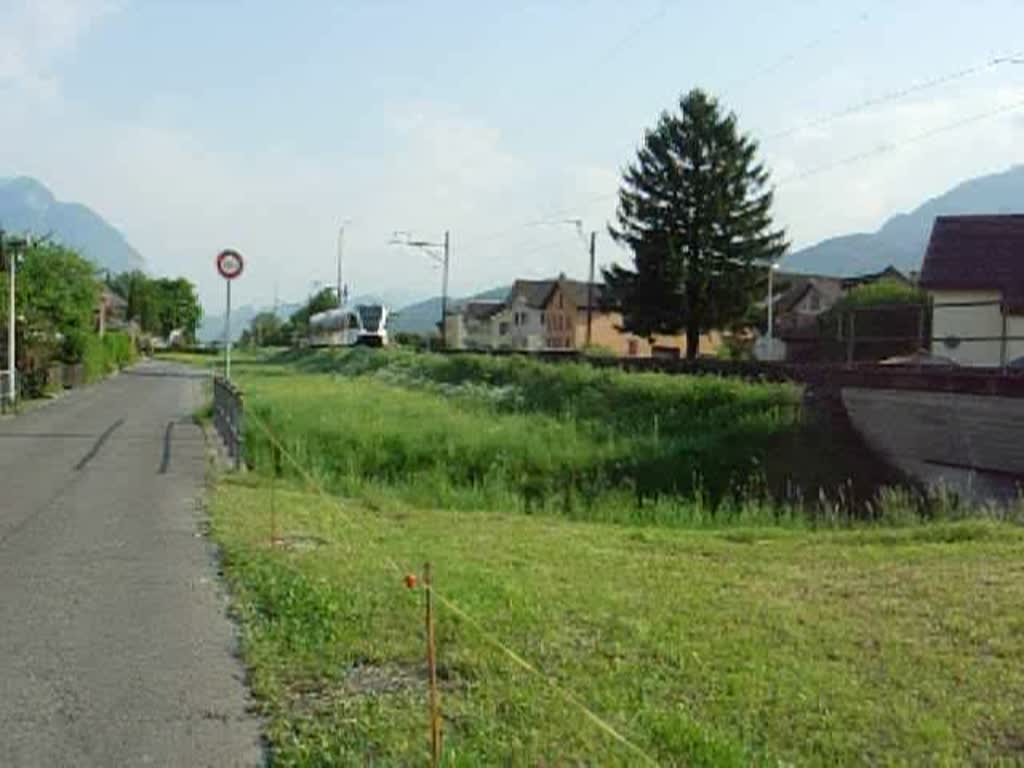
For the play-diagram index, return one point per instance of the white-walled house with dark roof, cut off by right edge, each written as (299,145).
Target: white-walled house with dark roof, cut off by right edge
(974,273)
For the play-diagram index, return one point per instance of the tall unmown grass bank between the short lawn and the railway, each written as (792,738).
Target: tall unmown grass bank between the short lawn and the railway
(474,433)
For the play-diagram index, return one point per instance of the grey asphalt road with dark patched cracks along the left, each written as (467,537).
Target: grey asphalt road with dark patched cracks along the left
(115,646)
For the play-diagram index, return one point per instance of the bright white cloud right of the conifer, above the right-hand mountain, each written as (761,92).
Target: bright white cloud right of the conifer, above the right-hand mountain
(909,168)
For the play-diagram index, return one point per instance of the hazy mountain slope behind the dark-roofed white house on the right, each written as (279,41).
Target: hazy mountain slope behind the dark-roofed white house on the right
(903,240)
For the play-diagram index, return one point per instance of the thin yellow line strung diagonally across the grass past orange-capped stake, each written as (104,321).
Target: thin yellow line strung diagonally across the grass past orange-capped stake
(492,638)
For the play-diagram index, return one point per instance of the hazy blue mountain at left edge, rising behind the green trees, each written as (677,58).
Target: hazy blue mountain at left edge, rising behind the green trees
(28,207)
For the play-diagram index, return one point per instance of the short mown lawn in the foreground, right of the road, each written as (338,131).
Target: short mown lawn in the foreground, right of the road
(734,648)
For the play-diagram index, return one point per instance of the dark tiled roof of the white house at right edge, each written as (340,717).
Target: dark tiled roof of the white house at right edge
(968,253)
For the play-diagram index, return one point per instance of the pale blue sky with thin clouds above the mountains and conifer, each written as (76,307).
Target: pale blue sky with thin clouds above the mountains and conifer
(263,125)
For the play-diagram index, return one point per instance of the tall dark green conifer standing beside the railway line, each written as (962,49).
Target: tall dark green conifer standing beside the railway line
(696,210)
